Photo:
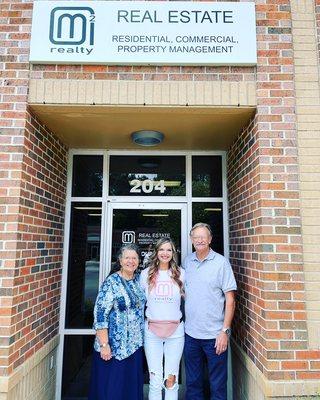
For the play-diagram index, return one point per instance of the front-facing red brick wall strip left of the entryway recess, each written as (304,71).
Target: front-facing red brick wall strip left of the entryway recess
(13,102)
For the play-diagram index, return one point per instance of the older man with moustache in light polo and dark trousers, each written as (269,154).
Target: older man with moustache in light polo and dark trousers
(209,306)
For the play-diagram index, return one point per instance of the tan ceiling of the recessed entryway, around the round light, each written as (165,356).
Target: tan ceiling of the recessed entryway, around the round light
(185,128)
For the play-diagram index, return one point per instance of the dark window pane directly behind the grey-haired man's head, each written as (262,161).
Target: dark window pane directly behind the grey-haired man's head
(212,214)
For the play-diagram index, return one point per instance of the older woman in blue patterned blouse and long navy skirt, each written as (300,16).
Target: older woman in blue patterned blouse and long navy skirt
(117,369)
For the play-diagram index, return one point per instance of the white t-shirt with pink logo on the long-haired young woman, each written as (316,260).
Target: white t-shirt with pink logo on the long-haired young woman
(164,299)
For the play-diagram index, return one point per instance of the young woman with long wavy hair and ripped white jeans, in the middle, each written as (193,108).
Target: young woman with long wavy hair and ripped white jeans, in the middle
(163,282)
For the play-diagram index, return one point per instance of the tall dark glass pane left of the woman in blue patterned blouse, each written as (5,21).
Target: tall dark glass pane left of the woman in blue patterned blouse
(84,259)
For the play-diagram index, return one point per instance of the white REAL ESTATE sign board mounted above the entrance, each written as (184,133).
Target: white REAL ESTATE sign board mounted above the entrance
(144,32)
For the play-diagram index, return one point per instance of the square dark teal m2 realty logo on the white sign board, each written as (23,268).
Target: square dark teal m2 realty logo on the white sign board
(72,30)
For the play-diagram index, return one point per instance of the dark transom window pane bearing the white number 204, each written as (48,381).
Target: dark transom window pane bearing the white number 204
(147,176)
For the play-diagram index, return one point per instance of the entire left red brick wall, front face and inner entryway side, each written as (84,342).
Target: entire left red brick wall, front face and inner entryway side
(32,195)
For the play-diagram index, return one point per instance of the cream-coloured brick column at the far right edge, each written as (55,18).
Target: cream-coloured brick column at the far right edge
(306,23)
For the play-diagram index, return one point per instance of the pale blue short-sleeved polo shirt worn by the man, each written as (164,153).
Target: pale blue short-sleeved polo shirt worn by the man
(206,283)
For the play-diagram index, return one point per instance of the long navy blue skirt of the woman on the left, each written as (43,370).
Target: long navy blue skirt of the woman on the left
(117,380)
